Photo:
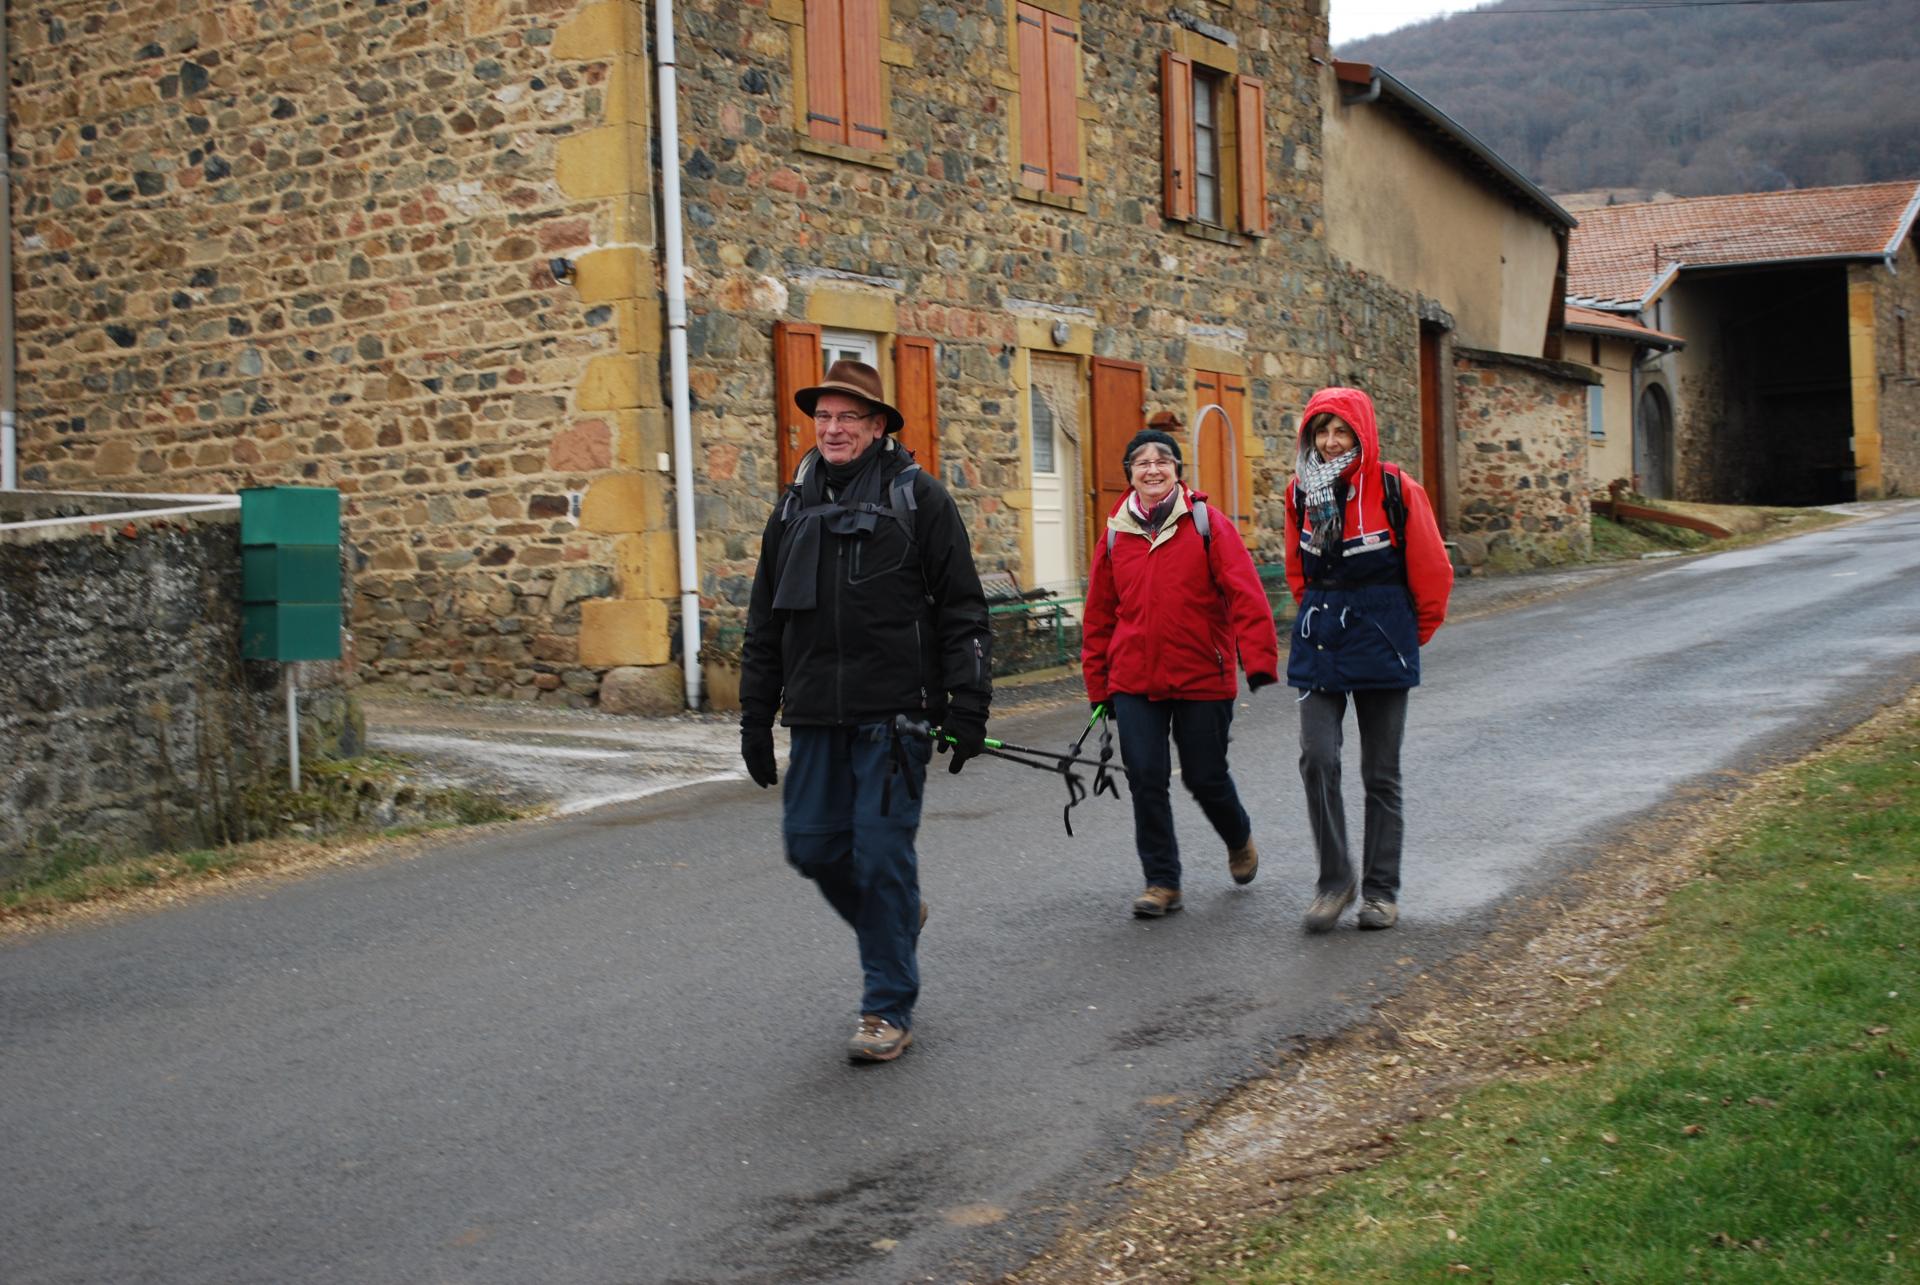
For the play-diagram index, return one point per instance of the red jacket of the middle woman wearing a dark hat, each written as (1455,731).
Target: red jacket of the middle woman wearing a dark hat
(1170,618)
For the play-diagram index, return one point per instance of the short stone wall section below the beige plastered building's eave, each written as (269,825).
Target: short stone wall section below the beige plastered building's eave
(1522,439)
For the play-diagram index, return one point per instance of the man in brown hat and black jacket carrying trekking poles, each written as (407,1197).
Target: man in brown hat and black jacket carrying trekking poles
(865,606)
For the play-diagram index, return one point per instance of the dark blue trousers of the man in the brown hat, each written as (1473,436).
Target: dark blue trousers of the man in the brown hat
(861,854)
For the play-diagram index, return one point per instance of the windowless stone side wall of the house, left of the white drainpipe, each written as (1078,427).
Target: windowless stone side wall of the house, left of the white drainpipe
(308,243)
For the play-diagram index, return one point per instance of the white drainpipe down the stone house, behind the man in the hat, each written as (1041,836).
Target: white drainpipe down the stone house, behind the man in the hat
(677,352)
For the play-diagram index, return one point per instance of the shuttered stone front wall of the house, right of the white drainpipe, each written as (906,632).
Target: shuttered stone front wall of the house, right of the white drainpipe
(942,245)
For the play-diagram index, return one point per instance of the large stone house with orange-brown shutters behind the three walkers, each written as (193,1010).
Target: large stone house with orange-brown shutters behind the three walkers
(414,253)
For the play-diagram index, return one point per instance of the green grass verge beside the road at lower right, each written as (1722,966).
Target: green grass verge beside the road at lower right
(1742,1107)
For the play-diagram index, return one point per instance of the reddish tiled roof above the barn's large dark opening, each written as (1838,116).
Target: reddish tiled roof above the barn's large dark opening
(1621,253)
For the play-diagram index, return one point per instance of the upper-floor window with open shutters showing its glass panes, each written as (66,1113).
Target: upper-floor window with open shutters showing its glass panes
(1214,145)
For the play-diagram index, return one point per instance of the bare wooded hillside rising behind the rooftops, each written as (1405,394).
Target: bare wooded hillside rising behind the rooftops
(1696,101)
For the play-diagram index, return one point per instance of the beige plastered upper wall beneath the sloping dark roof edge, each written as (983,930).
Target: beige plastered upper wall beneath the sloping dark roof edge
(1412,214)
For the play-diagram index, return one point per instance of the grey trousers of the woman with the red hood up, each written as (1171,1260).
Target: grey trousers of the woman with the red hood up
(1383,721)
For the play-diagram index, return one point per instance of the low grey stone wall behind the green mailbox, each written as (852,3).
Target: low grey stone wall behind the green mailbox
(128,719)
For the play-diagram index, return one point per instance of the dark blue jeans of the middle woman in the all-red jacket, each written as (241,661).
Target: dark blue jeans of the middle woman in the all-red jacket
(1201,735)
